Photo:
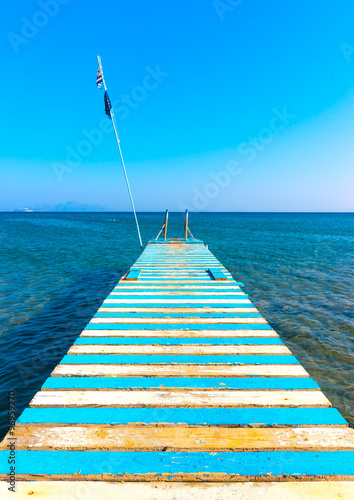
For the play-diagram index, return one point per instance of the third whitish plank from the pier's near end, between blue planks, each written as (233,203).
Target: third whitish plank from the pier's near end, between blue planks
(165,398)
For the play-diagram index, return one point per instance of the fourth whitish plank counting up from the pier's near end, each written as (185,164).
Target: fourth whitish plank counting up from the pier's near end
(185,370)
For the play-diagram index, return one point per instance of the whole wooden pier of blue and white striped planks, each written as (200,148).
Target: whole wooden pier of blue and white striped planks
(178,388)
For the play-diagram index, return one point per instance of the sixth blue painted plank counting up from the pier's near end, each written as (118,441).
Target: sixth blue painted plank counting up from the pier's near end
(176,326)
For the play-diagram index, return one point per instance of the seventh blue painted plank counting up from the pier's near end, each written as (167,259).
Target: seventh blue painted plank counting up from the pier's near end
(177,315)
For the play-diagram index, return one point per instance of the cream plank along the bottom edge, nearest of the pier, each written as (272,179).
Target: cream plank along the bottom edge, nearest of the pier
(52,490)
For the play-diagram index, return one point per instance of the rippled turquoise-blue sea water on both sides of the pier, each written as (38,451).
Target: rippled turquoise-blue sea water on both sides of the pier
(57,268)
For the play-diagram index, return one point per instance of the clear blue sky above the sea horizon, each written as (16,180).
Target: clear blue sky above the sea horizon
(252,107)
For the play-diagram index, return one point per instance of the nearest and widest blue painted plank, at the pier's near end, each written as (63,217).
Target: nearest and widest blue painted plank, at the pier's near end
(168,462)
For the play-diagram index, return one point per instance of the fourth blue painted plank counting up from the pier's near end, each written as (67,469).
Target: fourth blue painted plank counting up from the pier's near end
(256,359)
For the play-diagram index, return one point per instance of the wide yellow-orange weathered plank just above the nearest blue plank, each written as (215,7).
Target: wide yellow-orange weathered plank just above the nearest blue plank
(181,438)
